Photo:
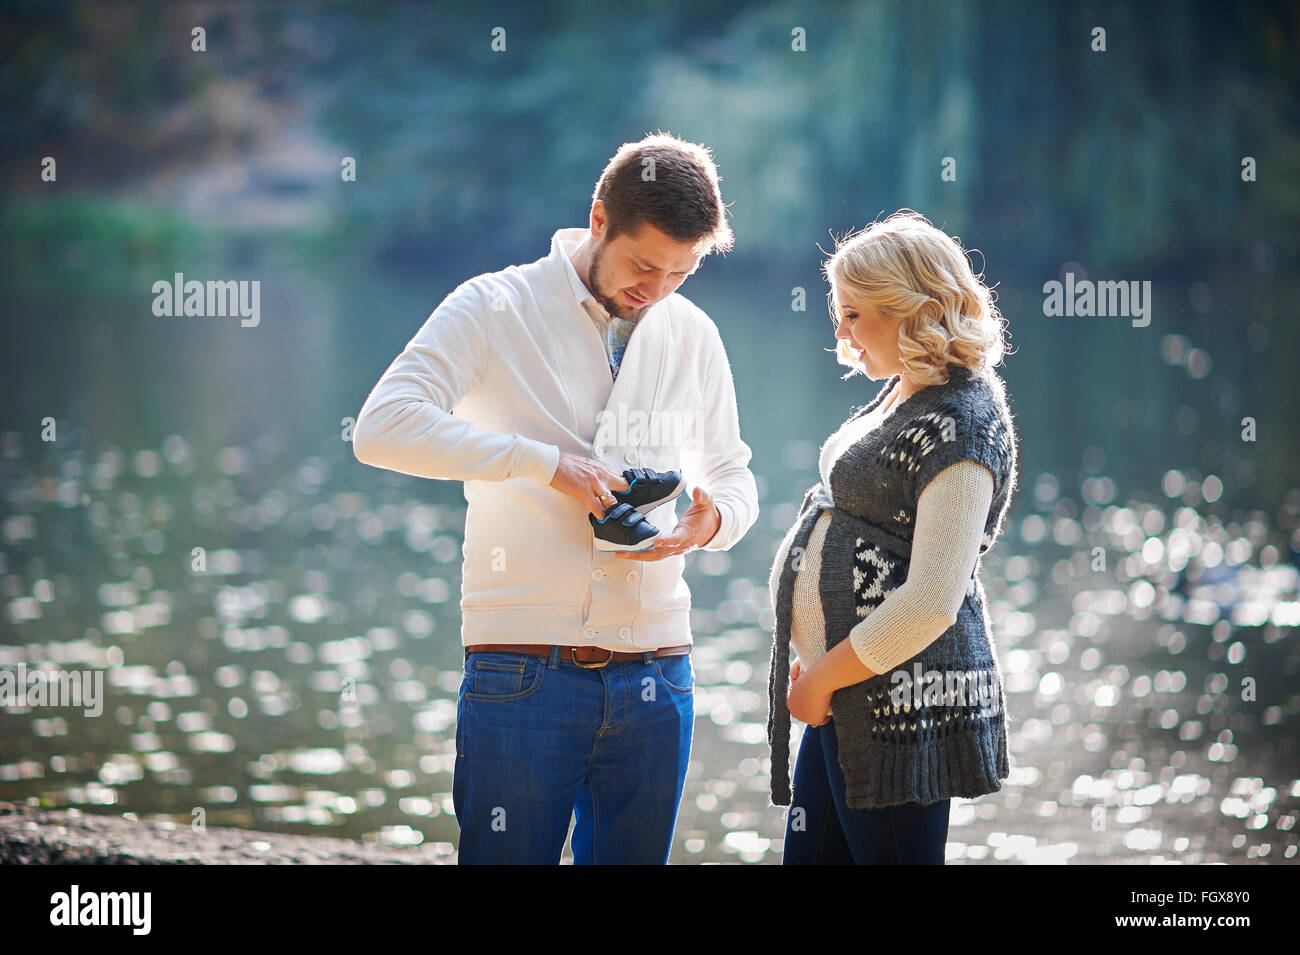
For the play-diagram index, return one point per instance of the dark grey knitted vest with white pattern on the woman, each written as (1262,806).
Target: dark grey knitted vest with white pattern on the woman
(918,737)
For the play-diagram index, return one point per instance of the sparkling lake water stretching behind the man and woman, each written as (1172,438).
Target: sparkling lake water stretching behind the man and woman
(307,680)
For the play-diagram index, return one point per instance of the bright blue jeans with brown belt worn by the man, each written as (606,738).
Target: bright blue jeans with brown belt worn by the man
(541,740)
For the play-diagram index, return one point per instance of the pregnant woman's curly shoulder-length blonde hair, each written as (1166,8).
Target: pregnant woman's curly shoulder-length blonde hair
(922,279)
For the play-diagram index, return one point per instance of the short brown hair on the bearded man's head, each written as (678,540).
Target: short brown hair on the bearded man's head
(669,184)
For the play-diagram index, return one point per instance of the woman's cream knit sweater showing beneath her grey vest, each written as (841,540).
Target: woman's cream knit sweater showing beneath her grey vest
(951,516)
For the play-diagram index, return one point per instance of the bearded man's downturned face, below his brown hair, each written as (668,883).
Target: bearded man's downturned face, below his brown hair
(632,272)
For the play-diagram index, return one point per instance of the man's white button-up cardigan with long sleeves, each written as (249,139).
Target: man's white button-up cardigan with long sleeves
(510,371)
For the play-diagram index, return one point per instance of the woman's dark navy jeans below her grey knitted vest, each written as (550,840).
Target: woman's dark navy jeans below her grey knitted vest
(829,834)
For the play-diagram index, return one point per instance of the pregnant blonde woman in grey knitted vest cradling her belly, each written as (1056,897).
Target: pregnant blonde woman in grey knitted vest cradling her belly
(877,584)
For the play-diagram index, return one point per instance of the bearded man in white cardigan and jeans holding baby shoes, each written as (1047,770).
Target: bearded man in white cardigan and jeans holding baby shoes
(538,387)
